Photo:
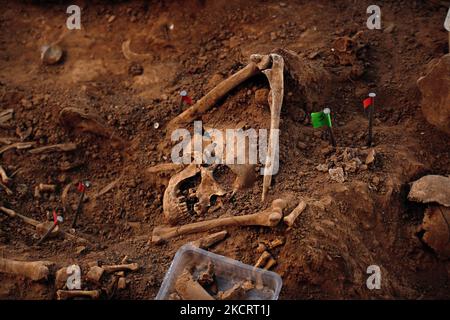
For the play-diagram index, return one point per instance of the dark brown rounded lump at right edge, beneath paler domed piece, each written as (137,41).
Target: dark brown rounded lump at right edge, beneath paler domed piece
(436,227)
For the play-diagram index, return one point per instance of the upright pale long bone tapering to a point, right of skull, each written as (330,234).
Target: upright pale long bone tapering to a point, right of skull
(276,81)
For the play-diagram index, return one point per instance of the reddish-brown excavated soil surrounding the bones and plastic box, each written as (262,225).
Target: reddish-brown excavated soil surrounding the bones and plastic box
(364,221)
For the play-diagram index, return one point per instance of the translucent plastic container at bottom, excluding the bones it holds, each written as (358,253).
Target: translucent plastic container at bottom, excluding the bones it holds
(227,273)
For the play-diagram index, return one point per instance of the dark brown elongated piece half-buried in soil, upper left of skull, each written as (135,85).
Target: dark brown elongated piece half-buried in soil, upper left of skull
(76,119)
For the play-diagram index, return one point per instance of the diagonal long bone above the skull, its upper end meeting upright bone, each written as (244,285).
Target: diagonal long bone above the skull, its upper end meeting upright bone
(257,64)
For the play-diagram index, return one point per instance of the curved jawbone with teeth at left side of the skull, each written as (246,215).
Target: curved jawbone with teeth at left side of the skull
(173,208)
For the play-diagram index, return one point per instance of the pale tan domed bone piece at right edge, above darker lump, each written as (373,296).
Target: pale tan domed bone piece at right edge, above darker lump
(431,188)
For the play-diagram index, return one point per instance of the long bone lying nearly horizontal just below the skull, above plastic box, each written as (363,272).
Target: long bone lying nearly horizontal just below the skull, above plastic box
(269,218)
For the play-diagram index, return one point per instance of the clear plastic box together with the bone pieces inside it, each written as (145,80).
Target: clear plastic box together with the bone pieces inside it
(228,275)
